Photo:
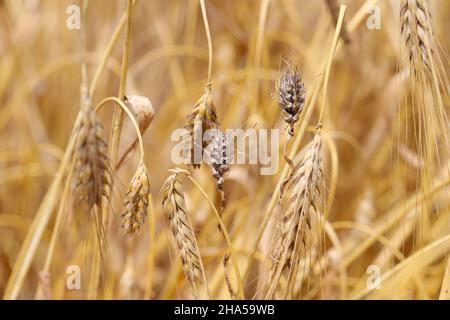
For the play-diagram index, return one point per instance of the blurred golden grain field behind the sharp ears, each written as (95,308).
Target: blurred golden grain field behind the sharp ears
(377,212)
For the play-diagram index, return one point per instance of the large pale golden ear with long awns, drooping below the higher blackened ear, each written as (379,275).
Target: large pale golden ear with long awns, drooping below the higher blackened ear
(299,205)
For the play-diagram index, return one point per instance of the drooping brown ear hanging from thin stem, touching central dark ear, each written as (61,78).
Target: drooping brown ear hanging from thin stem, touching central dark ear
(202,117)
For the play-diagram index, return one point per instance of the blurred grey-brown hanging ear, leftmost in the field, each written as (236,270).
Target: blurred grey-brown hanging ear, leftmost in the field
(91,163)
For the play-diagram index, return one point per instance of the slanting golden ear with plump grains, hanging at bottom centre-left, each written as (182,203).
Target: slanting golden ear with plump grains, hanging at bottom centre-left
(174,207)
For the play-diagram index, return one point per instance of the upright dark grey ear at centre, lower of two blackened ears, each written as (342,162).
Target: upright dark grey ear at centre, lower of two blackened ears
(221,154)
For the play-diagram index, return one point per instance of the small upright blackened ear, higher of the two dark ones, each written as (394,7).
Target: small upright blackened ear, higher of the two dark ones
(291,96)
